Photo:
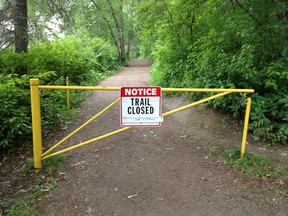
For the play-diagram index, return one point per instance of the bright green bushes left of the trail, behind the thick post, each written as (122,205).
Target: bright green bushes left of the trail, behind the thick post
(84,61)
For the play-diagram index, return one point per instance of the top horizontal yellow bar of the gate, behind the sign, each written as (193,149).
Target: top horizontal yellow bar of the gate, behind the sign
(163,89)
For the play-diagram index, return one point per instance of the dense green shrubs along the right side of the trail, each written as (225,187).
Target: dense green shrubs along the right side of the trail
(208,68)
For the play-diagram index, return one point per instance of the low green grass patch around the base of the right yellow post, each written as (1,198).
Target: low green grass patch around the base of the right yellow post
(255,165)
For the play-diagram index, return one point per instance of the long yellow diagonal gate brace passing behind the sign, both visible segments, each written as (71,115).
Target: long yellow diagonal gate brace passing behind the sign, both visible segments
(126,128)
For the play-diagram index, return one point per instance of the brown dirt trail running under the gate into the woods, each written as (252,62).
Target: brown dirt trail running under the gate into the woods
(166,171)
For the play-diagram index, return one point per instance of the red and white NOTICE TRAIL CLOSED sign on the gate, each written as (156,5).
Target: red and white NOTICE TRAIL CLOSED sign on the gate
(140,106)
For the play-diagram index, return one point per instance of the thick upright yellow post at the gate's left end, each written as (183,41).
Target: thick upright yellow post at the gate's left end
(36,124)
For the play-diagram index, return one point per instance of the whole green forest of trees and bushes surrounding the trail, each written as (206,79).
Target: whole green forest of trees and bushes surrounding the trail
(192,44)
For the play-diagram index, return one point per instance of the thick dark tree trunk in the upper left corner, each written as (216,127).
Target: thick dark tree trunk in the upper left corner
(21,26)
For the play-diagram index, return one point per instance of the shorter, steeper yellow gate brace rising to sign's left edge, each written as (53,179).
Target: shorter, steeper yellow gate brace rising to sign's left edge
(81,127)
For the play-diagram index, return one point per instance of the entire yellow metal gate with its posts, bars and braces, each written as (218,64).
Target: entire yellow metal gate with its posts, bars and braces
(36,116)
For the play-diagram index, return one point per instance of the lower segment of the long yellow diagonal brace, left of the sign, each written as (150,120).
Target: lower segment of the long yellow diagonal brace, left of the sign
(87,142)
